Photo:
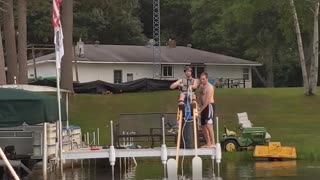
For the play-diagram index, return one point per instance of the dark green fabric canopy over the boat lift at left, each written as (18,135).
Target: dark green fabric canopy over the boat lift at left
(19,106)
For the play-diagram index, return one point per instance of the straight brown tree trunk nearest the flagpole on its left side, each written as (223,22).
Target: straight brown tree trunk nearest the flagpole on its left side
(22,41)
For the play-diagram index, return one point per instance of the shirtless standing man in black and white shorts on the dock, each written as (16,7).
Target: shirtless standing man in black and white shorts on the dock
(207,110)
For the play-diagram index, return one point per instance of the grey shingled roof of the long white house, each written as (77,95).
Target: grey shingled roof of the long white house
(144,54)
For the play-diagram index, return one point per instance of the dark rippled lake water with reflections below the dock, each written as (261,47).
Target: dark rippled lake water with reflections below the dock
(153,169)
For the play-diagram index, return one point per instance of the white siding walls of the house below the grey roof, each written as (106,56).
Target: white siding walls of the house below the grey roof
(90,72)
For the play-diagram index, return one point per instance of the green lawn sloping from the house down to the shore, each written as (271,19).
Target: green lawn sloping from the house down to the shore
(289,116)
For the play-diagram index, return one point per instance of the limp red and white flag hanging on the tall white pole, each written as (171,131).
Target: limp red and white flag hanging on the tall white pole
(58,34)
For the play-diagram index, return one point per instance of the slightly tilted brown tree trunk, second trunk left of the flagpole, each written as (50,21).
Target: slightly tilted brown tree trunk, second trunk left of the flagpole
(10,42)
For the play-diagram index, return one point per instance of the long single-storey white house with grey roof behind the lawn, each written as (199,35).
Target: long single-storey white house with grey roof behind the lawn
(124,63)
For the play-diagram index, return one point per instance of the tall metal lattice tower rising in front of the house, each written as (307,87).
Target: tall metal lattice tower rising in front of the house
(156,37)
